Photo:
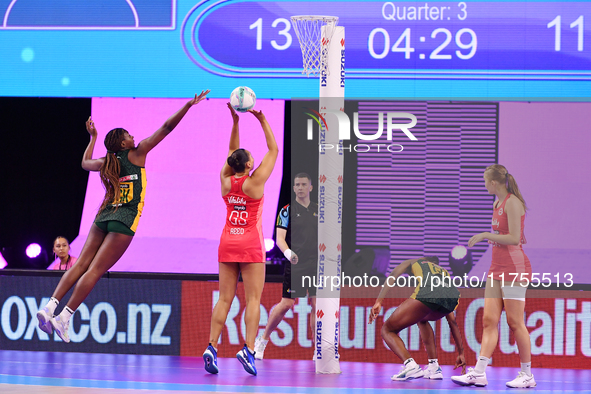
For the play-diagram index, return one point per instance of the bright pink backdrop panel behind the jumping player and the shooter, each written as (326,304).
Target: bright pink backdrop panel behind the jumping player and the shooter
(184,212)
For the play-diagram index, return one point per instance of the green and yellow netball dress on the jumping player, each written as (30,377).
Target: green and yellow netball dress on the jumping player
(132,184)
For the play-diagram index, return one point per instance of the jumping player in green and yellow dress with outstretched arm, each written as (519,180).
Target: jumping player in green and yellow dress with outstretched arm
(123,175)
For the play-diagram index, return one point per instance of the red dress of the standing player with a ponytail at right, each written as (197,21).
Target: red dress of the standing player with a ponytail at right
(508,259)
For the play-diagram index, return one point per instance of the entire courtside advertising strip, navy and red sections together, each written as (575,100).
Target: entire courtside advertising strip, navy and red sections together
(131,316)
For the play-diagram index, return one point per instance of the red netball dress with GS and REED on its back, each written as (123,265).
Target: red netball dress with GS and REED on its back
(242,238)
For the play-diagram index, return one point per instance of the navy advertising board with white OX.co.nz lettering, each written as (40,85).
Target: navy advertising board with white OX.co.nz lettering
(126,316)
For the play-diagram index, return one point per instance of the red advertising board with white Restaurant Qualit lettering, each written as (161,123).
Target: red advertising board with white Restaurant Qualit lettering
(560,329)
